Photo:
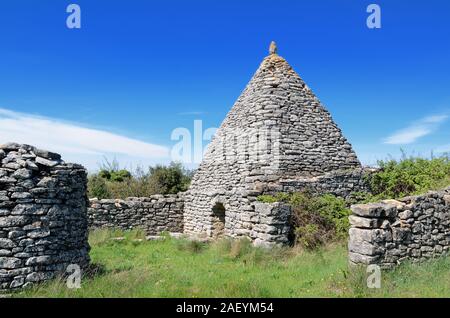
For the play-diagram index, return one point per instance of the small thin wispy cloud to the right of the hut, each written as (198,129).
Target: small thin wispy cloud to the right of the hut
(416,130)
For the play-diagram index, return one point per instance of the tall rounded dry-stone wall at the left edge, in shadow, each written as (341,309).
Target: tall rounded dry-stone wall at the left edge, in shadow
(43,221)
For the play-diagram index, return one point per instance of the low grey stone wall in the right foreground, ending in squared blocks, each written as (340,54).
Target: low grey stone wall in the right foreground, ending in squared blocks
(391,231)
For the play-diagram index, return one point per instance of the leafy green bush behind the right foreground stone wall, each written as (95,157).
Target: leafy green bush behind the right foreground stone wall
(410,176)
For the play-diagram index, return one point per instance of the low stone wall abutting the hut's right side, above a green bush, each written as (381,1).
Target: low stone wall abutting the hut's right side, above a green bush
(340,183)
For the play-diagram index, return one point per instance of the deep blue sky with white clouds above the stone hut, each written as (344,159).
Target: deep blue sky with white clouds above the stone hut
(136,70)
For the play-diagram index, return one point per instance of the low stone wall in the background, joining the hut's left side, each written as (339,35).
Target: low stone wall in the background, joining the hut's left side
(155,214)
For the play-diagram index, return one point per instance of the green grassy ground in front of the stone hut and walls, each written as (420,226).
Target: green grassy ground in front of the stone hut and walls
(180,268)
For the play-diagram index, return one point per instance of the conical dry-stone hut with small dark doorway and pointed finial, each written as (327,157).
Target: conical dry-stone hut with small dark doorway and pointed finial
(278,137)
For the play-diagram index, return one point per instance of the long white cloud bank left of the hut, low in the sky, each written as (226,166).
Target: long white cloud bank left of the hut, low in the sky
(85,145)
